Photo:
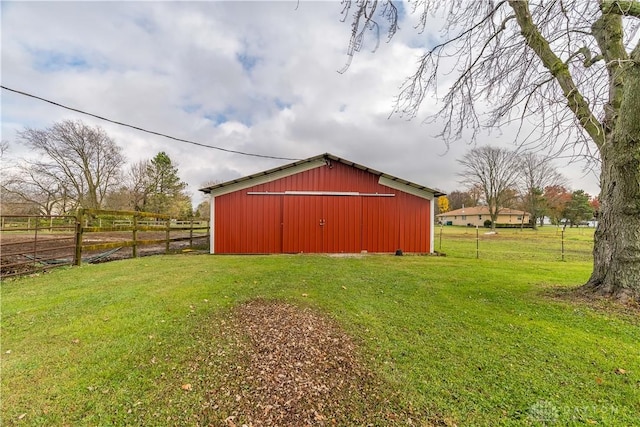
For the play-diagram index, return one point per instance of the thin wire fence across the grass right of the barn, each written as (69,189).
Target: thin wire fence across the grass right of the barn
(549,243)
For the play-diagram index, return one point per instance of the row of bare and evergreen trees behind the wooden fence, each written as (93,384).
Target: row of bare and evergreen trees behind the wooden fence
(75,165)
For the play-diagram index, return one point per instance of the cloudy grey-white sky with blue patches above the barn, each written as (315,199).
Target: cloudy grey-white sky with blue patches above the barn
(258,77)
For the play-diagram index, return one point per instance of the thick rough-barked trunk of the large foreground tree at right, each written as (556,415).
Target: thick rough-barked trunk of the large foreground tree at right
(616,253)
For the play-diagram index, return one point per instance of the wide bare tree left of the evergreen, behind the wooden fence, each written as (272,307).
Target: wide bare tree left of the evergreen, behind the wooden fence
(82,161)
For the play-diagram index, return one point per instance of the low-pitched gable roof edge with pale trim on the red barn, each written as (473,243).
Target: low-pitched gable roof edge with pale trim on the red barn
(306,164)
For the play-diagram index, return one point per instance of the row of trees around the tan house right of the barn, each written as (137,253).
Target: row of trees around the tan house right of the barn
(500,178)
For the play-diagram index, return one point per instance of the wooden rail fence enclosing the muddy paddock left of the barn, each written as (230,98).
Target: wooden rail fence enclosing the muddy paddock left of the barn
(31,244)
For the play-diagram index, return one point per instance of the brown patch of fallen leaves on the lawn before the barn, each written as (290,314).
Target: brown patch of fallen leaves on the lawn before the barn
(297,368)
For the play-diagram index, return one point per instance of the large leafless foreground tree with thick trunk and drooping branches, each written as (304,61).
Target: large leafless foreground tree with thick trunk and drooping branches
(572,67)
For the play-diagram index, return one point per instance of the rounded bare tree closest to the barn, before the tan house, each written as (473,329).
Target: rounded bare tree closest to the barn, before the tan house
(494,171)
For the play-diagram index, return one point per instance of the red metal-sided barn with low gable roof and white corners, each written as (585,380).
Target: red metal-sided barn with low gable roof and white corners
(323,204)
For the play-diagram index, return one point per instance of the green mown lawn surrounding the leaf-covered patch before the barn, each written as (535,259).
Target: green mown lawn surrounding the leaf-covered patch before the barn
(463,341)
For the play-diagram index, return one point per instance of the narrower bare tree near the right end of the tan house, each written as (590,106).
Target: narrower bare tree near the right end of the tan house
(536,173)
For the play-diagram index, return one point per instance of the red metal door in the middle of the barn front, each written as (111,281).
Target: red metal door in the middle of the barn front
(321,224)
